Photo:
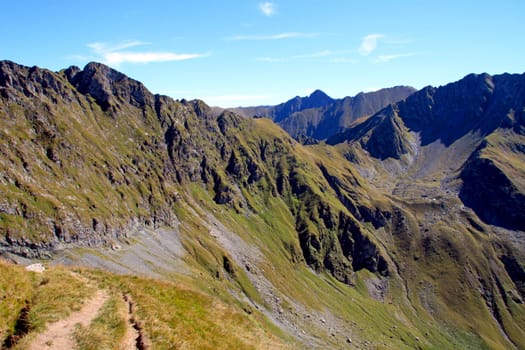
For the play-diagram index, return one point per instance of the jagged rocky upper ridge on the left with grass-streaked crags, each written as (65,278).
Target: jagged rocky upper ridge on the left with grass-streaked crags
(135,151)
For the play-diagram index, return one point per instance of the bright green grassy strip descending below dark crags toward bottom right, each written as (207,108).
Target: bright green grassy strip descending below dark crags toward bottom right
(393,322)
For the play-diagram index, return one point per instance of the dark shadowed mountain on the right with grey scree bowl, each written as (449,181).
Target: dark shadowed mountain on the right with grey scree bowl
(479,121)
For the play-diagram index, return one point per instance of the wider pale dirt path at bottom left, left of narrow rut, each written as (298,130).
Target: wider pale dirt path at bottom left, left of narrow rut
(58,335)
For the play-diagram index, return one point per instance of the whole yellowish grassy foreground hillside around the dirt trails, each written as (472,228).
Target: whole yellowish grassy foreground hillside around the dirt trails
(173,315)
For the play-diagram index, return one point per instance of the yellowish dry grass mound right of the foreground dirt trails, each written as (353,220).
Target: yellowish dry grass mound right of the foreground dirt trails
(175,317)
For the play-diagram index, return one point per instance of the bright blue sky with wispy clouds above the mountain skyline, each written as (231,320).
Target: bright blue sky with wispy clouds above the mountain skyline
(232,53)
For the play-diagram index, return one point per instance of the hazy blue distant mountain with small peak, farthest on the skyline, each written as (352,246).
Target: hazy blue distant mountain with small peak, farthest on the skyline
(318,116)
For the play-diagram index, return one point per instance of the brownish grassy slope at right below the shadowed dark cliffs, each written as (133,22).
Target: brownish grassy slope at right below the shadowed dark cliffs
(447,258)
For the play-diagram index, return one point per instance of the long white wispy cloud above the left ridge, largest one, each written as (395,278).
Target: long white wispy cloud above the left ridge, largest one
(116,54)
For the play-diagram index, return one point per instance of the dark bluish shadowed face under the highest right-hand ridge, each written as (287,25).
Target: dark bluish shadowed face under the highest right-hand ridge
(477,103)
